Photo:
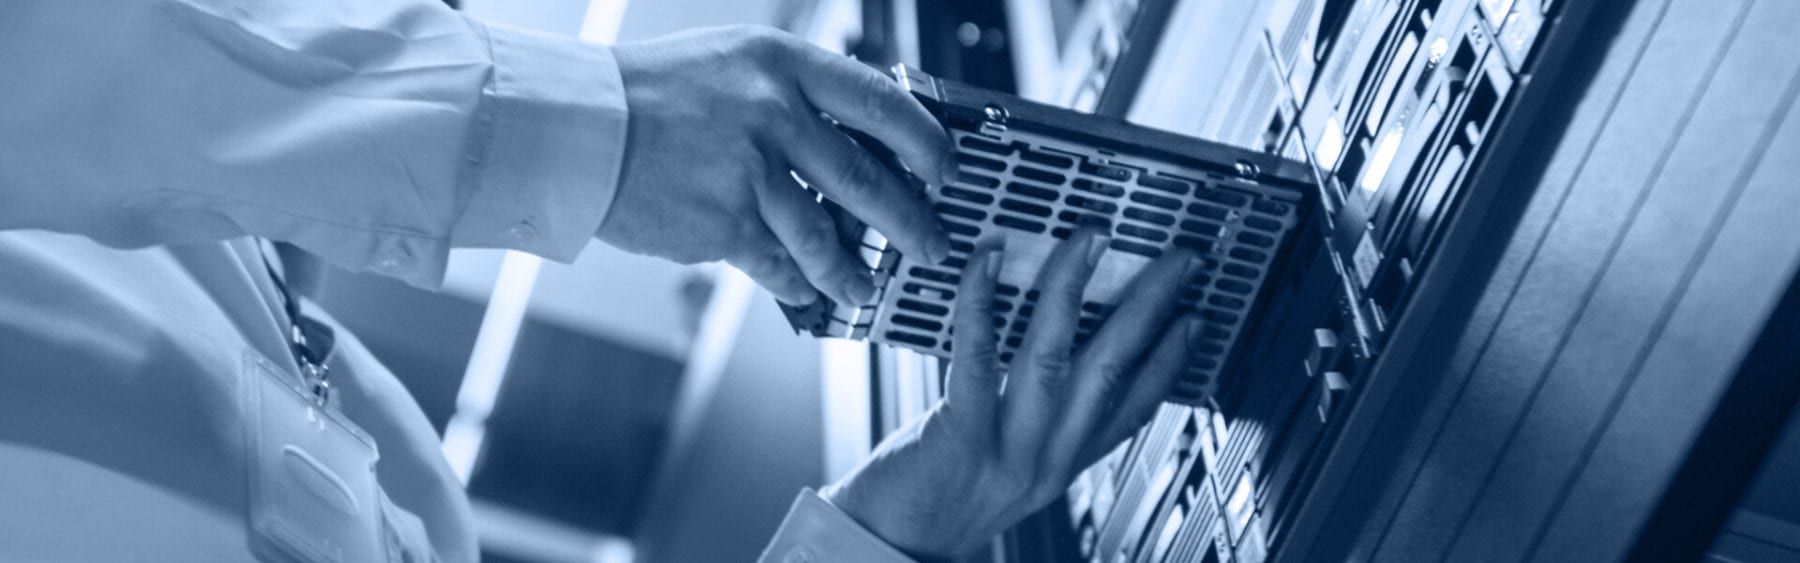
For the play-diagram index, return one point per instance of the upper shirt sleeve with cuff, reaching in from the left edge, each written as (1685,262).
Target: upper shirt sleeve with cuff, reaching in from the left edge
(375,134)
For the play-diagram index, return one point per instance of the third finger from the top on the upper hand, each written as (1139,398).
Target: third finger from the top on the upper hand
(811,238)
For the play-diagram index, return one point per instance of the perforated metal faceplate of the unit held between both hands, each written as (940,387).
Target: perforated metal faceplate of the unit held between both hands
(1025,188)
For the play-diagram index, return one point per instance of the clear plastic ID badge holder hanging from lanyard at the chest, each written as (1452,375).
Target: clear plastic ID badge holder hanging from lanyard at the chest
(314,494)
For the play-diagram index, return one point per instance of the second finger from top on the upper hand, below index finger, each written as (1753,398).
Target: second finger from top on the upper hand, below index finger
(849,175)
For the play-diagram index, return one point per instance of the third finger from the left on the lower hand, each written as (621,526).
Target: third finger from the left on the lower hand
(1106,361)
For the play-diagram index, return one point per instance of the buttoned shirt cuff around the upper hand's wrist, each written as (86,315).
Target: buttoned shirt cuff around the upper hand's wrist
(555,116)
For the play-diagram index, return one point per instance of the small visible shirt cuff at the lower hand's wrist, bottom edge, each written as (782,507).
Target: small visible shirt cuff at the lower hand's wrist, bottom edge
(818,532)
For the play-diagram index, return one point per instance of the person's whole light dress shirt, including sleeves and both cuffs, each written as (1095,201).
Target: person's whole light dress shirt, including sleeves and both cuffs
(156,138)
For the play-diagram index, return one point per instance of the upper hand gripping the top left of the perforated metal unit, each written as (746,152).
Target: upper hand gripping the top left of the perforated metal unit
(723,118)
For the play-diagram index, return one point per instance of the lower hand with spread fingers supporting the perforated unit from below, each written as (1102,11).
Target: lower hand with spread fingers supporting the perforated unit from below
(991,454)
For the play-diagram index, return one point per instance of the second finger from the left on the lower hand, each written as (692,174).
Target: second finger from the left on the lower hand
(1036,391)
